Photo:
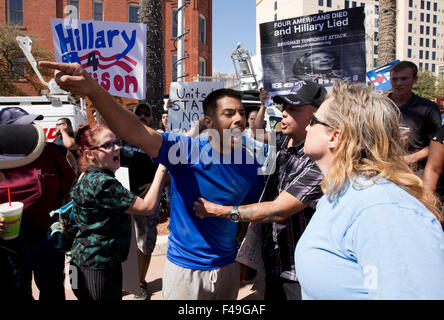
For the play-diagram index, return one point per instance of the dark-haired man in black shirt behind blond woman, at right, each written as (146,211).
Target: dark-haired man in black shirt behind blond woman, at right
(421,118)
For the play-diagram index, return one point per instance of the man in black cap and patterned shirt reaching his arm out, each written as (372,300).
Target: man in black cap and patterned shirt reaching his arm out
(290,194)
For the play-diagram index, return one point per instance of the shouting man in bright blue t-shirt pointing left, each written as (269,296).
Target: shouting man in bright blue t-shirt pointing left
(201,252)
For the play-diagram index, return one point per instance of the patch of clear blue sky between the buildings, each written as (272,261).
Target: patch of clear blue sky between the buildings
(233,21)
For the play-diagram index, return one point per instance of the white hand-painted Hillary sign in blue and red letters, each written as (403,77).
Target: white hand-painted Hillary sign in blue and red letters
(112,52)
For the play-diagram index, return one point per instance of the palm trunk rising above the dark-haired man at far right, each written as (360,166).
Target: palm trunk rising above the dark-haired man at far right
(387,32)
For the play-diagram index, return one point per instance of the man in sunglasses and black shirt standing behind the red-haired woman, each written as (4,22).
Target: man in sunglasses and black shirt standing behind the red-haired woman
(141,172)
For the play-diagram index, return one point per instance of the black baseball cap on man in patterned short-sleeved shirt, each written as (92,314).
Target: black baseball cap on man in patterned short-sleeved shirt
(302,93)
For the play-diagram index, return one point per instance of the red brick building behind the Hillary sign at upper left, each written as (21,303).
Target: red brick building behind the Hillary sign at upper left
(34,17)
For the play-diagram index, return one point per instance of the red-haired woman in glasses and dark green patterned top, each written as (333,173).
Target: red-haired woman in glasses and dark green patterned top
(101,209)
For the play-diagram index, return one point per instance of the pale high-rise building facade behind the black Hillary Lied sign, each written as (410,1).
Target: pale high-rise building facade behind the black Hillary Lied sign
(419,31)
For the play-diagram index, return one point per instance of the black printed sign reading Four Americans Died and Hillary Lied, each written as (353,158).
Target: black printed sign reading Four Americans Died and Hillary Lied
(320,47)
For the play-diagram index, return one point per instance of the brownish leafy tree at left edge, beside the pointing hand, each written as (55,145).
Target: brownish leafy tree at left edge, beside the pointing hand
(13,64)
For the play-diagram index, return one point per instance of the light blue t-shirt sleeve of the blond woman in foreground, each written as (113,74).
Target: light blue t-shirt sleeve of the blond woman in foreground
(400,252)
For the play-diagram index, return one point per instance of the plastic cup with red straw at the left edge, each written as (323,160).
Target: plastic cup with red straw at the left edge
(11,217)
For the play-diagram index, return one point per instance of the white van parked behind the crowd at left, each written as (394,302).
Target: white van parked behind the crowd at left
(51,108)
